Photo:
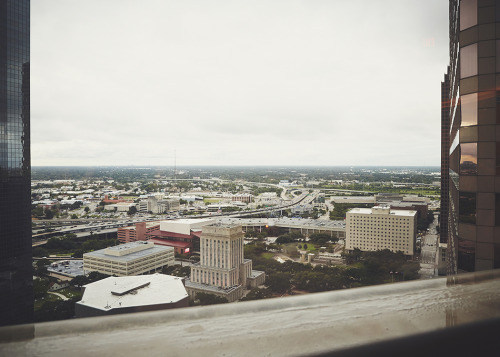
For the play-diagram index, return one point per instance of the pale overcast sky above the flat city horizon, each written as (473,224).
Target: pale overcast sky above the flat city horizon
(318,82)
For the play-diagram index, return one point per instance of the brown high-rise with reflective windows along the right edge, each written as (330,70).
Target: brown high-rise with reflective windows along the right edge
(471,118)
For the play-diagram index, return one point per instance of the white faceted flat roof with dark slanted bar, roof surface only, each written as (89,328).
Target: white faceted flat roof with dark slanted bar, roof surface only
(132,291)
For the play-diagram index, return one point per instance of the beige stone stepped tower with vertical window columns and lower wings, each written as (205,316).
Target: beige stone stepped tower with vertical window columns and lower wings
(222,269)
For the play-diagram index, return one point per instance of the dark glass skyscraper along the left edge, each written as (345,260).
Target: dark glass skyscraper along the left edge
(16,276)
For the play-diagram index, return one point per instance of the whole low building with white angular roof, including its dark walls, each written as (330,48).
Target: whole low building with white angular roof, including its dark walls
(118,295)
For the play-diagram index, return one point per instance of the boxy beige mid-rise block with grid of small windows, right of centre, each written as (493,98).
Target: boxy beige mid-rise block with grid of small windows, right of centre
(378,228)
